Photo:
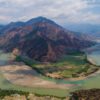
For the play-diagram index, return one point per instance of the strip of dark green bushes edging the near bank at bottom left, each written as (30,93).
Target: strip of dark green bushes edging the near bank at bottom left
(4,93)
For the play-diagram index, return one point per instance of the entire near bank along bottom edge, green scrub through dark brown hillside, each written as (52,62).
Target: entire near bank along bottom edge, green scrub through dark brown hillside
(90,94)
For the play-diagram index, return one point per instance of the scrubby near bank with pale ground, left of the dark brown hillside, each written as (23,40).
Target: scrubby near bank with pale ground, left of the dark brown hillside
(20,95)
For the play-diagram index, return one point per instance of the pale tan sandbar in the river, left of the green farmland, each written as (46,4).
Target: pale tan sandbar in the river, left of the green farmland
(26,76)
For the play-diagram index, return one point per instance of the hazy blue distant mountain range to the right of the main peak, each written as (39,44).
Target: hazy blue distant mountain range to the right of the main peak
(88,29)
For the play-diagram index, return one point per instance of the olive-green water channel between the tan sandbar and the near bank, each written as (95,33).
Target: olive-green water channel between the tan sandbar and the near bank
(6,85)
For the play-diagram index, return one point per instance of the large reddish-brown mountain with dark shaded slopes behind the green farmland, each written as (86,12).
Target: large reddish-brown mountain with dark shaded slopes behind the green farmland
(41,39)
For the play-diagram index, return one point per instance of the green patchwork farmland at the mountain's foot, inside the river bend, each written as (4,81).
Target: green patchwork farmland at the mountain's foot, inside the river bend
(68,66)
